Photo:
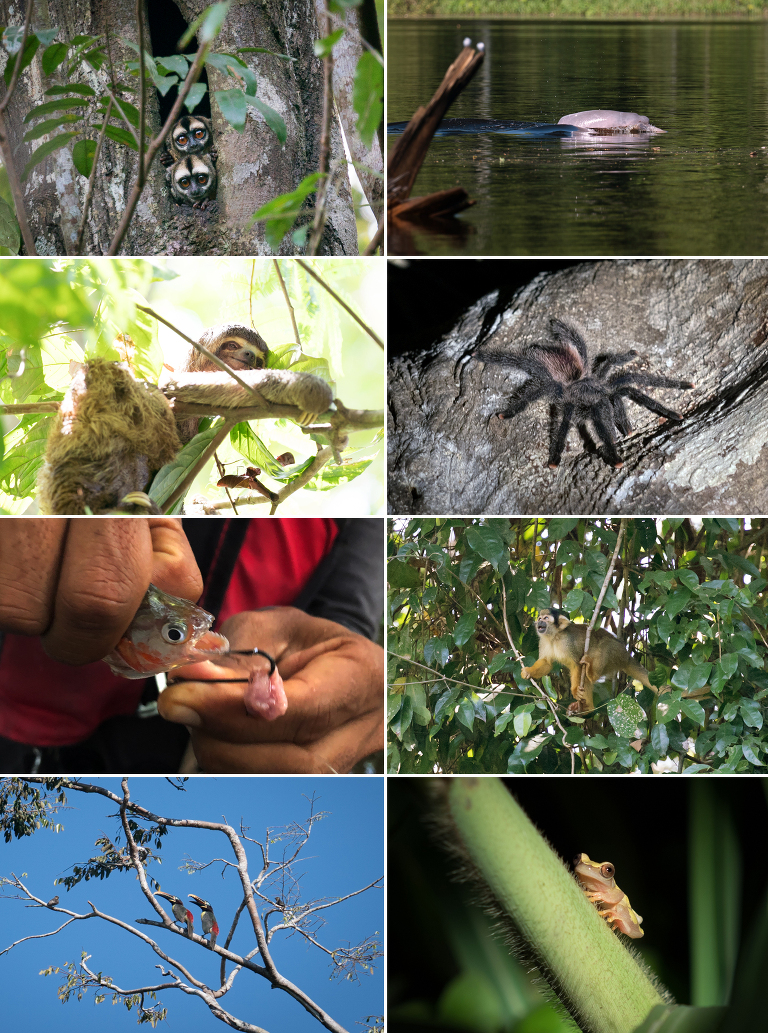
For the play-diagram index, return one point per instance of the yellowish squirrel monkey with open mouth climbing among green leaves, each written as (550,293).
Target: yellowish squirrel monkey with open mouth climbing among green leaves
(563,642)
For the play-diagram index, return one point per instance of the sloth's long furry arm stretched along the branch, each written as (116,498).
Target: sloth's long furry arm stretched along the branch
(309,393)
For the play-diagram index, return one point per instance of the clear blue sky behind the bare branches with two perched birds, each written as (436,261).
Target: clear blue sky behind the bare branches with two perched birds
(346,853)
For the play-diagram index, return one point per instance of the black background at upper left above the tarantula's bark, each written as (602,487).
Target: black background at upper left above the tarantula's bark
(427,296)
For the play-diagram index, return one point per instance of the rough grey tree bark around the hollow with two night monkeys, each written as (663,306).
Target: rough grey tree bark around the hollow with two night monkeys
(253,167)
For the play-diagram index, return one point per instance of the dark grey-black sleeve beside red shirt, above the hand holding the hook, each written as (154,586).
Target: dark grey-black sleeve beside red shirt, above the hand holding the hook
(348,587)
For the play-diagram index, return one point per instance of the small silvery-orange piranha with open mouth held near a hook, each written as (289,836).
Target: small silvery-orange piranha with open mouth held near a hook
(167,633)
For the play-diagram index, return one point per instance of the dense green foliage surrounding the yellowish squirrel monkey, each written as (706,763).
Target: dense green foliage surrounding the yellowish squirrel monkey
(687,598)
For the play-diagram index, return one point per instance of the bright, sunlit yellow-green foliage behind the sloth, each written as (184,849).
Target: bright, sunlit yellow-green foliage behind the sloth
(58,312)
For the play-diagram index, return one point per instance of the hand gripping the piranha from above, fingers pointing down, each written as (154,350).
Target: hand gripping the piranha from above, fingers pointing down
(78,583)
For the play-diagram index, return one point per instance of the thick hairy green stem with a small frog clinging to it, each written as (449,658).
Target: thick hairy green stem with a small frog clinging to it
(602,982)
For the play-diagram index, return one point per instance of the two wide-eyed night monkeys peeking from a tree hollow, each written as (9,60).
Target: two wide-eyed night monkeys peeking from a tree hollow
(191,158)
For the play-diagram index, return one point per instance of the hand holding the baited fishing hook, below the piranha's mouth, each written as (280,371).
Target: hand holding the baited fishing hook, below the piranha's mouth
(334,683)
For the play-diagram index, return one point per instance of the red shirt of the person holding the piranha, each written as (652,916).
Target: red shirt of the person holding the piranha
(48,704)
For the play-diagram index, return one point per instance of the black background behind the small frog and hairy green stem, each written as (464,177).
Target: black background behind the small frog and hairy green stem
(640,825)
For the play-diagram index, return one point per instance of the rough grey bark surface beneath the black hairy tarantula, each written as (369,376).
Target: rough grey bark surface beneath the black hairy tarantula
(698,320)
